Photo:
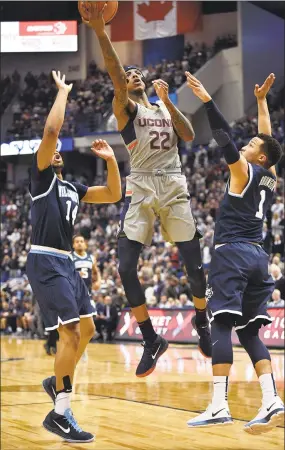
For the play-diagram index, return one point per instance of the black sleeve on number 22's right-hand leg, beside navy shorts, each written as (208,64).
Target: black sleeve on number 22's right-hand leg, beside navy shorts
(191,254)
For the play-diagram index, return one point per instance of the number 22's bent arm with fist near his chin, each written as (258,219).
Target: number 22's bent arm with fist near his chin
(181,124)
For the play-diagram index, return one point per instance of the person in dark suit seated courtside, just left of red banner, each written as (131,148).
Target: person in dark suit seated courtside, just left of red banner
(108,319)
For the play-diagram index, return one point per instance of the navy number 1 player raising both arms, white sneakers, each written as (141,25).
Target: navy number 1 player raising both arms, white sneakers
(239,284)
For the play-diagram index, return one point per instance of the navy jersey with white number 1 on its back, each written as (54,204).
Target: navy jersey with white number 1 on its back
(241,216)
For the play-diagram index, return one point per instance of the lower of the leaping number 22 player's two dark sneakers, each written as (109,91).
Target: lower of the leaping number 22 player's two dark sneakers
(150,356)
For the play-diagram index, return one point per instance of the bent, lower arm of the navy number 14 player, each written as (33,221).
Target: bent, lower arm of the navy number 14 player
(111,193)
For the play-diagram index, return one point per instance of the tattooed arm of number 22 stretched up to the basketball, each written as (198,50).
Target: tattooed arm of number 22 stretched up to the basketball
(112,61)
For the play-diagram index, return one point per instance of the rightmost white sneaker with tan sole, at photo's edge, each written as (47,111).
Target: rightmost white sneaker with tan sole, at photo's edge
(268,417)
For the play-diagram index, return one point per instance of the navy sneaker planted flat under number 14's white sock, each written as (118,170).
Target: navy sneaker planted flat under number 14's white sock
(66,427)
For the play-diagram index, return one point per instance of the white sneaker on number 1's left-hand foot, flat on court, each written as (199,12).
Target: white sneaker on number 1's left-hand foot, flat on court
(212,417)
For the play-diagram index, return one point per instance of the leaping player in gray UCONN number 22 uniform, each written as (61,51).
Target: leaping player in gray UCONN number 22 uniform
(155,188)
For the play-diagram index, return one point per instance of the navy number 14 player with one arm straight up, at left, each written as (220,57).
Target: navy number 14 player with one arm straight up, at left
(60,291)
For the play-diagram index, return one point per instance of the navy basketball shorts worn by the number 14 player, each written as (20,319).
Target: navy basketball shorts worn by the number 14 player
(59,290)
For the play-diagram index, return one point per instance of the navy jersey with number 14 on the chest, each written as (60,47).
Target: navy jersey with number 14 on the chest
(54,207)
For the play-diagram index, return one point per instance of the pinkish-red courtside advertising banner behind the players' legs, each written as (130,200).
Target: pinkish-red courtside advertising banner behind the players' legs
(175,325)
